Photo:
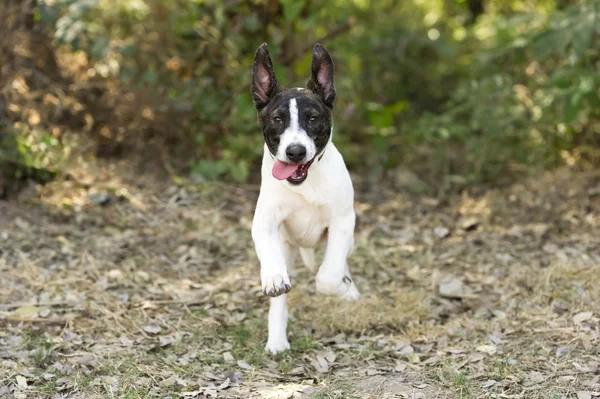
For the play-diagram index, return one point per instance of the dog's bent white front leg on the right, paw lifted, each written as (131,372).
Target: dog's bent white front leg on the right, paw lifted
(334,275)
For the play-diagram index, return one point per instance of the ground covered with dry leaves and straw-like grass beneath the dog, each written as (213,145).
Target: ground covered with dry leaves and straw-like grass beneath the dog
(116,288)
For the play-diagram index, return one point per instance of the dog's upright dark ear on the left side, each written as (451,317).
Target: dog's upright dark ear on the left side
(264,82)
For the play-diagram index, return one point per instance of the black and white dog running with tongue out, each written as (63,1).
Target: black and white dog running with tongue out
(306,192)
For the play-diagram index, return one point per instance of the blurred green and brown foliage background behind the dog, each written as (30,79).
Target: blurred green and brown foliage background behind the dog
(444,93)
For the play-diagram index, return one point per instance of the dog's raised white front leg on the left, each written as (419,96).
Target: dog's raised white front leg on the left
(267,243)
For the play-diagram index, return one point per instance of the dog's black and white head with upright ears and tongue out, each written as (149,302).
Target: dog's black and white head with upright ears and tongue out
(296,123)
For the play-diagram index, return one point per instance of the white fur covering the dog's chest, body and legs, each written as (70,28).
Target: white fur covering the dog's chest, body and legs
(289,217)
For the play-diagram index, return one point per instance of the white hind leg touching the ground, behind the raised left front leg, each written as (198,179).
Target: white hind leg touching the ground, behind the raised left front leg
(278,314)
